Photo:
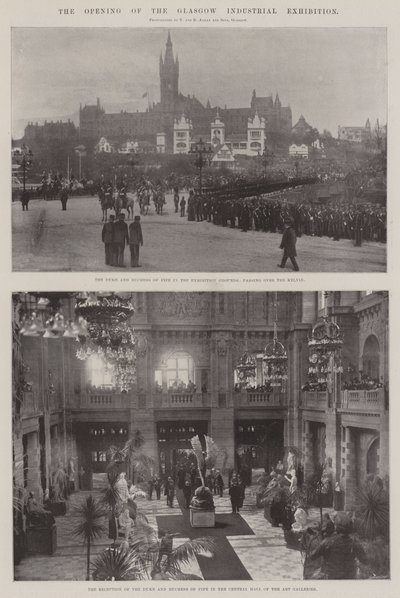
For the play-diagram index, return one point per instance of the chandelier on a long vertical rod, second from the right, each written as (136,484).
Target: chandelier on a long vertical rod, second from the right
(274,357)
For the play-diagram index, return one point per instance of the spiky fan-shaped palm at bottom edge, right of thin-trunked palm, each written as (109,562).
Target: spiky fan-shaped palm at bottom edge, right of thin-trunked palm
(117,564)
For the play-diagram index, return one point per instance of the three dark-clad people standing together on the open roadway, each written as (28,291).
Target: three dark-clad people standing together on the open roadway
(116,235)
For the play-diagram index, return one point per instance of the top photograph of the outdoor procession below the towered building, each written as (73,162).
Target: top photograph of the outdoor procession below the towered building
(199,149)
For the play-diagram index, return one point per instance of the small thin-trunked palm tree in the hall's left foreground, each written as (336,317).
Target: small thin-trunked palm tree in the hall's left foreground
(90,527)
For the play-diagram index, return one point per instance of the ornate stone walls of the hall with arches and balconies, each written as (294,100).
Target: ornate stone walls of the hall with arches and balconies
(64,408)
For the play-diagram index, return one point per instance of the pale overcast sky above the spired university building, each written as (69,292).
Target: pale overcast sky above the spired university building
(332,76)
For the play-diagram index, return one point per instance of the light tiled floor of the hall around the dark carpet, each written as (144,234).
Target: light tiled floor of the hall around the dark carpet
(264,554)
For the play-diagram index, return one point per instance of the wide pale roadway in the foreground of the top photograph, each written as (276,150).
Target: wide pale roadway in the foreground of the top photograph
(48,239)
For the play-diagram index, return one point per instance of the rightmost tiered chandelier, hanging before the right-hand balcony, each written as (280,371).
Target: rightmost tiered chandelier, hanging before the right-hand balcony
(324,347)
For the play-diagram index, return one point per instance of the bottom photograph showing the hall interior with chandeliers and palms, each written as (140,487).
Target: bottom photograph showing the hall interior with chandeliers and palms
(200,436)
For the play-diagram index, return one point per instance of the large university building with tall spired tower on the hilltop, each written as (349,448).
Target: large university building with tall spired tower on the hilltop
(160,118)
